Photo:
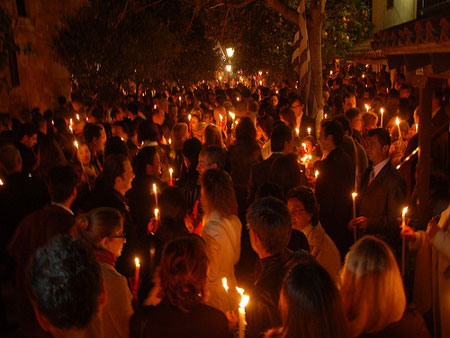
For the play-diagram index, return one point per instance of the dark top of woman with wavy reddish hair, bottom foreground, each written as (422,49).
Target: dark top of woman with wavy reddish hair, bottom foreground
(165,320)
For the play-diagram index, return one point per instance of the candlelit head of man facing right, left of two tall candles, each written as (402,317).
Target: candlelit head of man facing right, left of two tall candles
(118,173)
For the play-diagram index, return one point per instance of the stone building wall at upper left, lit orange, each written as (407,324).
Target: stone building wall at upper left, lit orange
(35,79)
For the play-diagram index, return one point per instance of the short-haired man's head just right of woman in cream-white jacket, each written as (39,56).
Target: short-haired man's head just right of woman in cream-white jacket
(269,224)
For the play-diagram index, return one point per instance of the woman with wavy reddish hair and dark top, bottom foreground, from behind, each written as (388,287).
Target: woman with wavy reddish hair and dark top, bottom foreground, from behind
(182,311)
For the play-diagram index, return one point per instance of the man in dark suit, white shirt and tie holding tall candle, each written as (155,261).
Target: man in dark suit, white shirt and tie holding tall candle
(382,194)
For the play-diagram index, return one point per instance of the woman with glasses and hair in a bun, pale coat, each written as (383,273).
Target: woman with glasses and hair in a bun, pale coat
(103,229)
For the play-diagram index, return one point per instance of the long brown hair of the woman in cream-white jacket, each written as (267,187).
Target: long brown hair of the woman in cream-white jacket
(217,193)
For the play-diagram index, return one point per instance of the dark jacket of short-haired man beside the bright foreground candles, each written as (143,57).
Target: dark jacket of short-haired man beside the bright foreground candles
(262,310)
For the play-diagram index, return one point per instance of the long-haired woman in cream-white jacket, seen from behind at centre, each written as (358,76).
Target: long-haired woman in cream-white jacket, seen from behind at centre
(222,234)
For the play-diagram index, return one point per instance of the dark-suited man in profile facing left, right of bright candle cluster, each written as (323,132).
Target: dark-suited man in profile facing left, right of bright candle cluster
(334,185)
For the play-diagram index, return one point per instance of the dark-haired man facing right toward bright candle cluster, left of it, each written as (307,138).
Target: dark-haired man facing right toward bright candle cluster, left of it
(281,142)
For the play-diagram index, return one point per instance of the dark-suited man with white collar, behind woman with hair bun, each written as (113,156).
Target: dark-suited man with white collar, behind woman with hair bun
(35,231)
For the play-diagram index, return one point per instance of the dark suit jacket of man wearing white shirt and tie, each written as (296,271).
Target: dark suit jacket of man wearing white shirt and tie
(382,202)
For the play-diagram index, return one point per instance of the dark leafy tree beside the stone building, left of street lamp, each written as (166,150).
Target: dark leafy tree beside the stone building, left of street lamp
(125,45)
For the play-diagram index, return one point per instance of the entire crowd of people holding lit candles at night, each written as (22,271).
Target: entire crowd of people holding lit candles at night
(225,182)
